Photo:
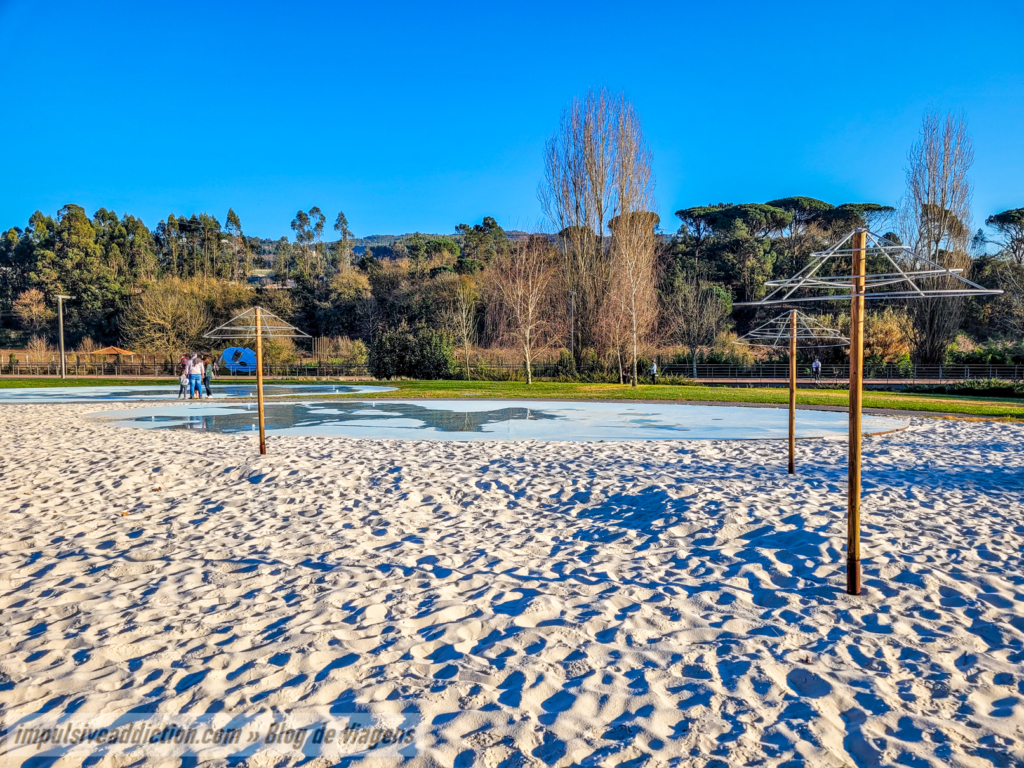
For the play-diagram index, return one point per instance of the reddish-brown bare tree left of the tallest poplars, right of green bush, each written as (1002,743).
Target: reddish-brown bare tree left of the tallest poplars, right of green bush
(523,279)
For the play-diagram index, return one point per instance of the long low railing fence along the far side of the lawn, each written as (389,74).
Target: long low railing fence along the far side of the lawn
(747,374)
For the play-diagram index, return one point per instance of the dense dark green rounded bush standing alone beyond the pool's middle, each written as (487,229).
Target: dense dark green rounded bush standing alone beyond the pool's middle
(428,354)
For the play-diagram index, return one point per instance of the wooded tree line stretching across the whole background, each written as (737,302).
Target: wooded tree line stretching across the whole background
(604,287)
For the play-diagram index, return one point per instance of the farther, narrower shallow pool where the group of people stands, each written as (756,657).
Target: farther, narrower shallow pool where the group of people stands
(170,393)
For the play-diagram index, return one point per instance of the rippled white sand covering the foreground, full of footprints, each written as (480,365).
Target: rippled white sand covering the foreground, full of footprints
(649,604)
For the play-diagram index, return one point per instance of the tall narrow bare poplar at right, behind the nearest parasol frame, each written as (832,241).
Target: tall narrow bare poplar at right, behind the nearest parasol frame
(935,223)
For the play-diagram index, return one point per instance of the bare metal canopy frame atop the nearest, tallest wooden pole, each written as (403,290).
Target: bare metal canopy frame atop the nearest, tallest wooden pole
(902,284)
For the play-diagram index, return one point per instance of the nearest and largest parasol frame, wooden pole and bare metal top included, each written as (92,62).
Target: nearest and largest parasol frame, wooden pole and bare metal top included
(815,284)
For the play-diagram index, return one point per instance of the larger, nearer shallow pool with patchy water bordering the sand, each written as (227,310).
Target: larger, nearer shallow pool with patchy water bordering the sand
(498,420)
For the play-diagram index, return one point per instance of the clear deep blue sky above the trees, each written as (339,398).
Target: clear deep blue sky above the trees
(420,116)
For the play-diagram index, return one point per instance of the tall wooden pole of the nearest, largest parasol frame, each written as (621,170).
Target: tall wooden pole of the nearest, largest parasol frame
(857,403)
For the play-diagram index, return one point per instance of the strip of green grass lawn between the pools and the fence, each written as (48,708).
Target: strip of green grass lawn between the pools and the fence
(1008,409)
